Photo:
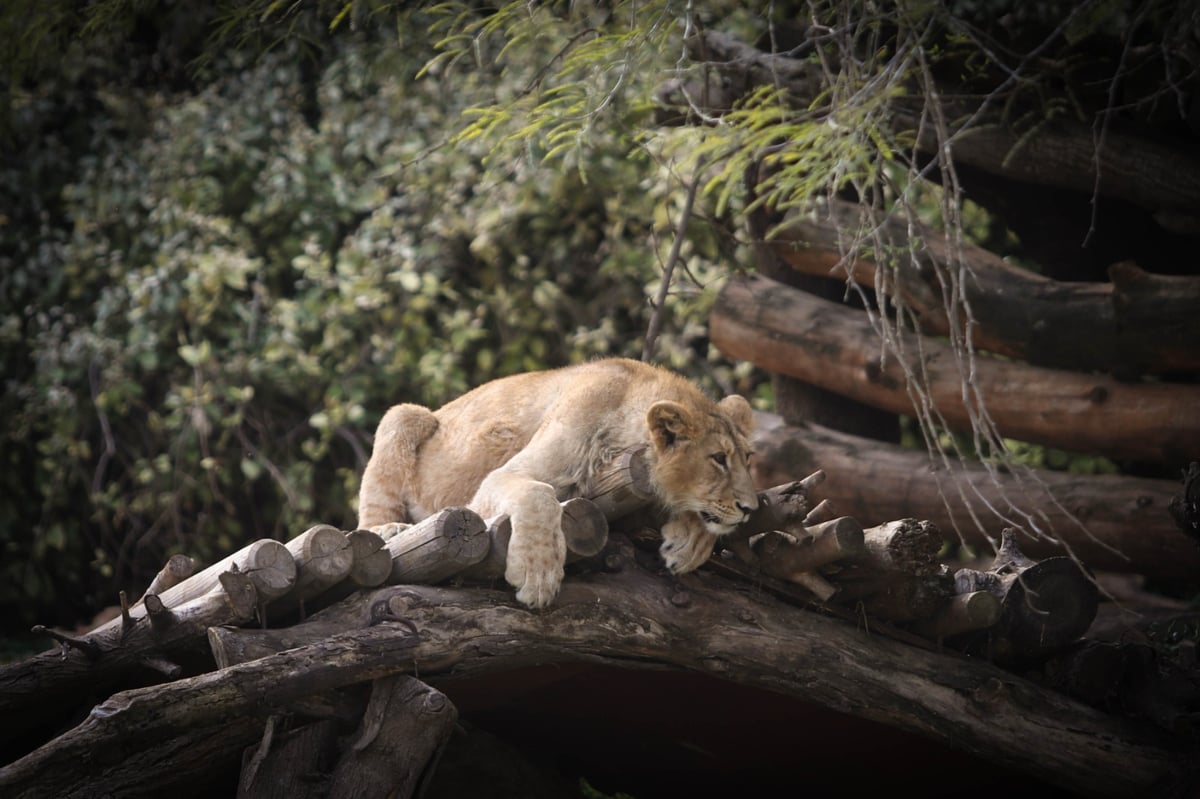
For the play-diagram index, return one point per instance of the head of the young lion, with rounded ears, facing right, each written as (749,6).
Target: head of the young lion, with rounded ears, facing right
(701,460)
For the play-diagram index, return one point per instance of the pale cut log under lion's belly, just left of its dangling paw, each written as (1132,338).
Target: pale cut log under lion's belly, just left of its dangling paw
(437,548)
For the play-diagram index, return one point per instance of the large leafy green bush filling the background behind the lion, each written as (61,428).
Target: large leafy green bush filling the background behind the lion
(236,283)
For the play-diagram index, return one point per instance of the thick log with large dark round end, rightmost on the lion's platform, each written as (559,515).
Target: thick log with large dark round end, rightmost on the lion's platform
(1046,605)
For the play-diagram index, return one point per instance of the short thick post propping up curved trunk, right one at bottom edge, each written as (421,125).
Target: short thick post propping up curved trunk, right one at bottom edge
(397,748)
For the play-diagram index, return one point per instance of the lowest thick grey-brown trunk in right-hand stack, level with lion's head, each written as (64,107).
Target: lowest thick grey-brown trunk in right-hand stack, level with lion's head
(1109,522)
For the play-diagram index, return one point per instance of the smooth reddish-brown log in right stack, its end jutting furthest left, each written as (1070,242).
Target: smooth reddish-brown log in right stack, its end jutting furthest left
(793,333)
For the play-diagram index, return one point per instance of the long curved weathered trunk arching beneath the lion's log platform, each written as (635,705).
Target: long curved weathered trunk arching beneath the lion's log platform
(632,617)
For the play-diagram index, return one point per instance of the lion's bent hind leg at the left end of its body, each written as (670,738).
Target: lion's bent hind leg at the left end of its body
(392,471)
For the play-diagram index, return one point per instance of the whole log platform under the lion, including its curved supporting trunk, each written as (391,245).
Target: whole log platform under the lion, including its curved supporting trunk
(297,664)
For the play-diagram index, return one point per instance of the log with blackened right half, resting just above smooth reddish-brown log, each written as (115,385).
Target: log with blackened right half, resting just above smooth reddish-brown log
(1136,325)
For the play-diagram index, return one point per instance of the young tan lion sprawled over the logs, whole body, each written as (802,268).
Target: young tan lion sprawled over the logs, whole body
(521,444)
